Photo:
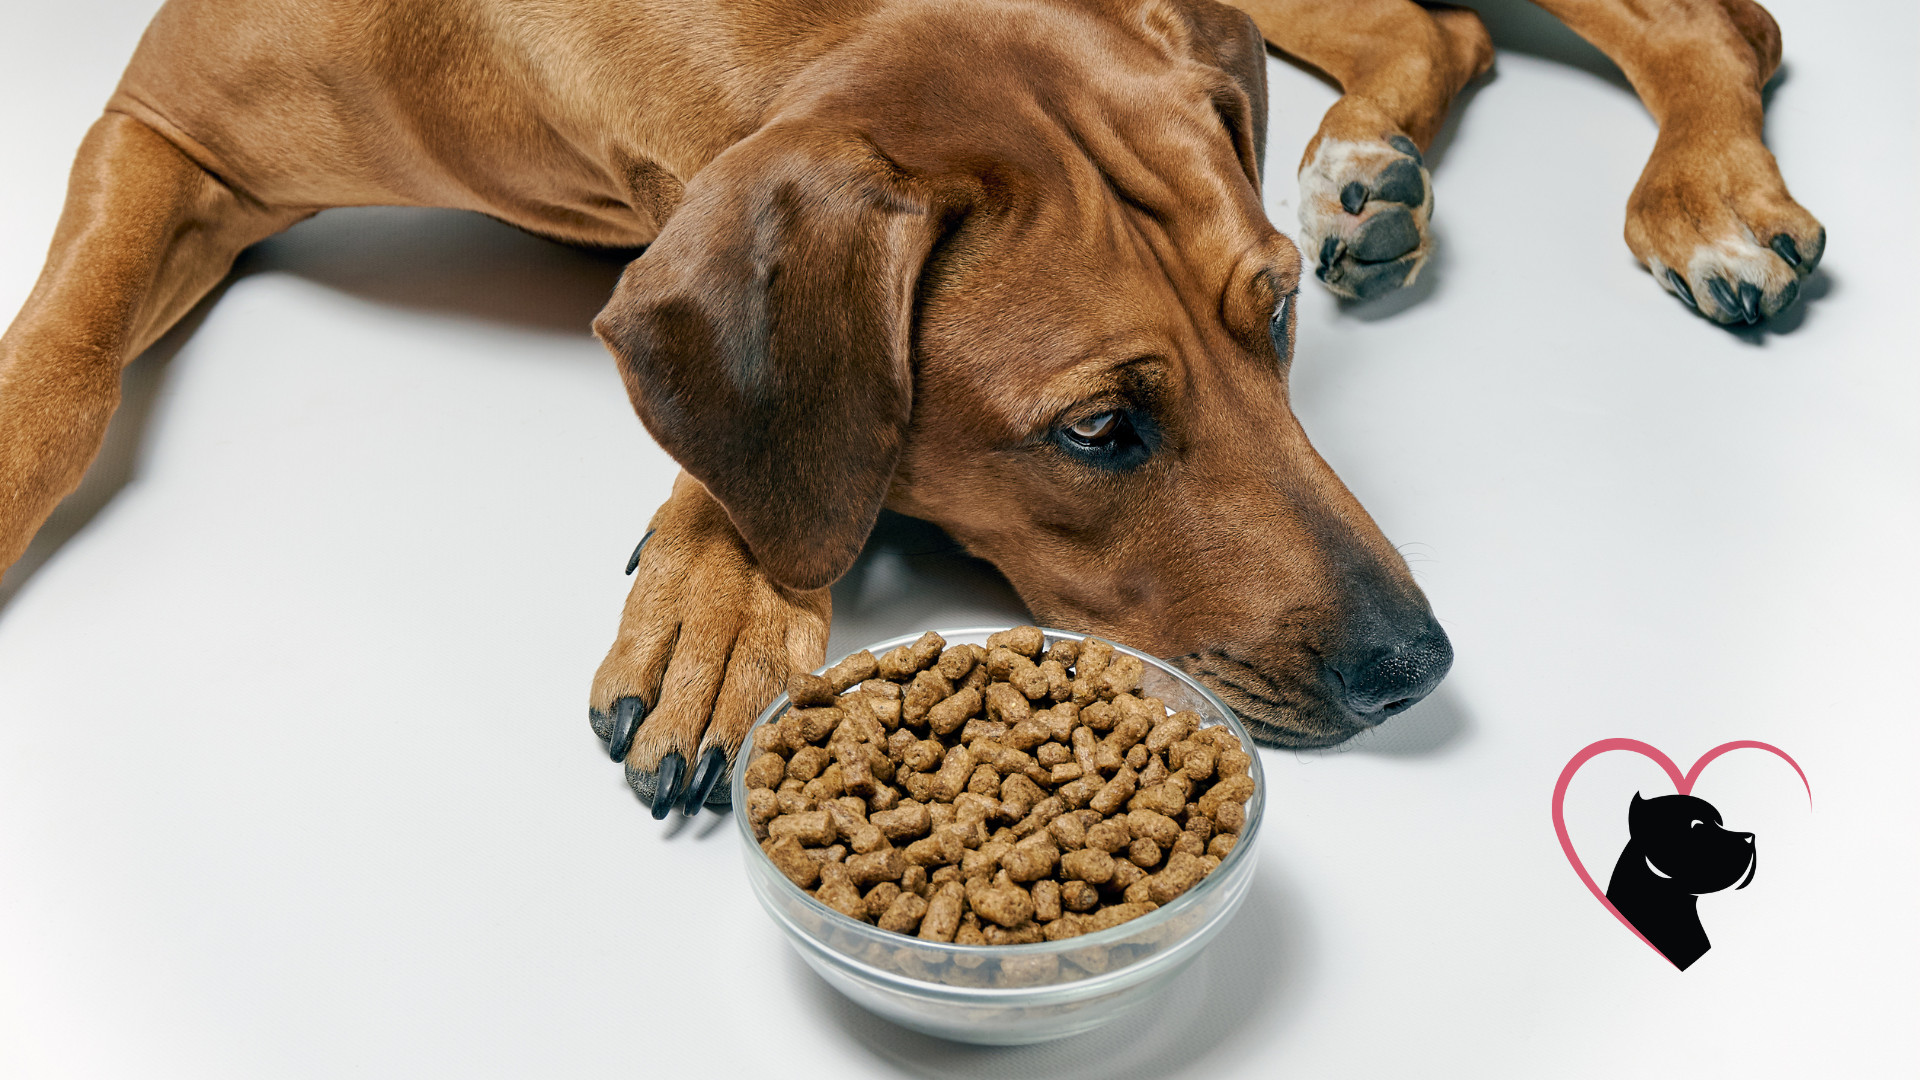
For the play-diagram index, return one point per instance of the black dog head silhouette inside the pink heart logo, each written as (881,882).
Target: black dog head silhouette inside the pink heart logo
(1677,852)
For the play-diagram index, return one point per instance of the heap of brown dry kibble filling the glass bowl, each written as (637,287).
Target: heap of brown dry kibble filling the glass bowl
(994,795)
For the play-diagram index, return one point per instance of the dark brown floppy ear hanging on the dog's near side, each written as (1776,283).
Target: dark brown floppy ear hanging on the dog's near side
(765,339)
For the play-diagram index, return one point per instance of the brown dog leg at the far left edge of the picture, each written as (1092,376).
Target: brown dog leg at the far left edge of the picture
(143,237)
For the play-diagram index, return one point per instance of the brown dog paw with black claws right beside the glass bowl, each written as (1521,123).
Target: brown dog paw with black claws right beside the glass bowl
(706,643)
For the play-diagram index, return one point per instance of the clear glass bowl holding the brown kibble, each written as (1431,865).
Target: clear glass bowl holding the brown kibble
(1013,994)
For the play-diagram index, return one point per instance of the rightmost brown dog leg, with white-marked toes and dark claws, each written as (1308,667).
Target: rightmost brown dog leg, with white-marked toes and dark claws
(1712,216)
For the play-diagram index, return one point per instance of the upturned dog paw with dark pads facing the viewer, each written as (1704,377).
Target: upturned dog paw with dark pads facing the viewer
(1364,210)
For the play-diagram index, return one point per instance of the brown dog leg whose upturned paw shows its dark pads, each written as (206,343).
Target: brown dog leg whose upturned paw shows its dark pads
(1366,195)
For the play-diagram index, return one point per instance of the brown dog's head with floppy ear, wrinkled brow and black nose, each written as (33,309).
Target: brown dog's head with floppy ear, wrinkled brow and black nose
(1030,295)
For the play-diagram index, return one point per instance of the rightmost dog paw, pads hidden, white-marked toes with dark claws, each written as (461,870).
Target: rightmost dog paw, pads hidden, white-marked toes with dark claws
(1717,228)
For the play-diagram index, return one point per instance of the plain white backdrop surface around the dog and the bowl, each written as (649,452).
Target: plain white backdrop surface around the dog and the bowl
(295,764)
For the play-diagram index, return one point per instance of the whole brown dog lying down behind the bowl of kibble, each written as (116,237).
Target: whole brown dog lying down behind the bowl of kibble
(997,264)
